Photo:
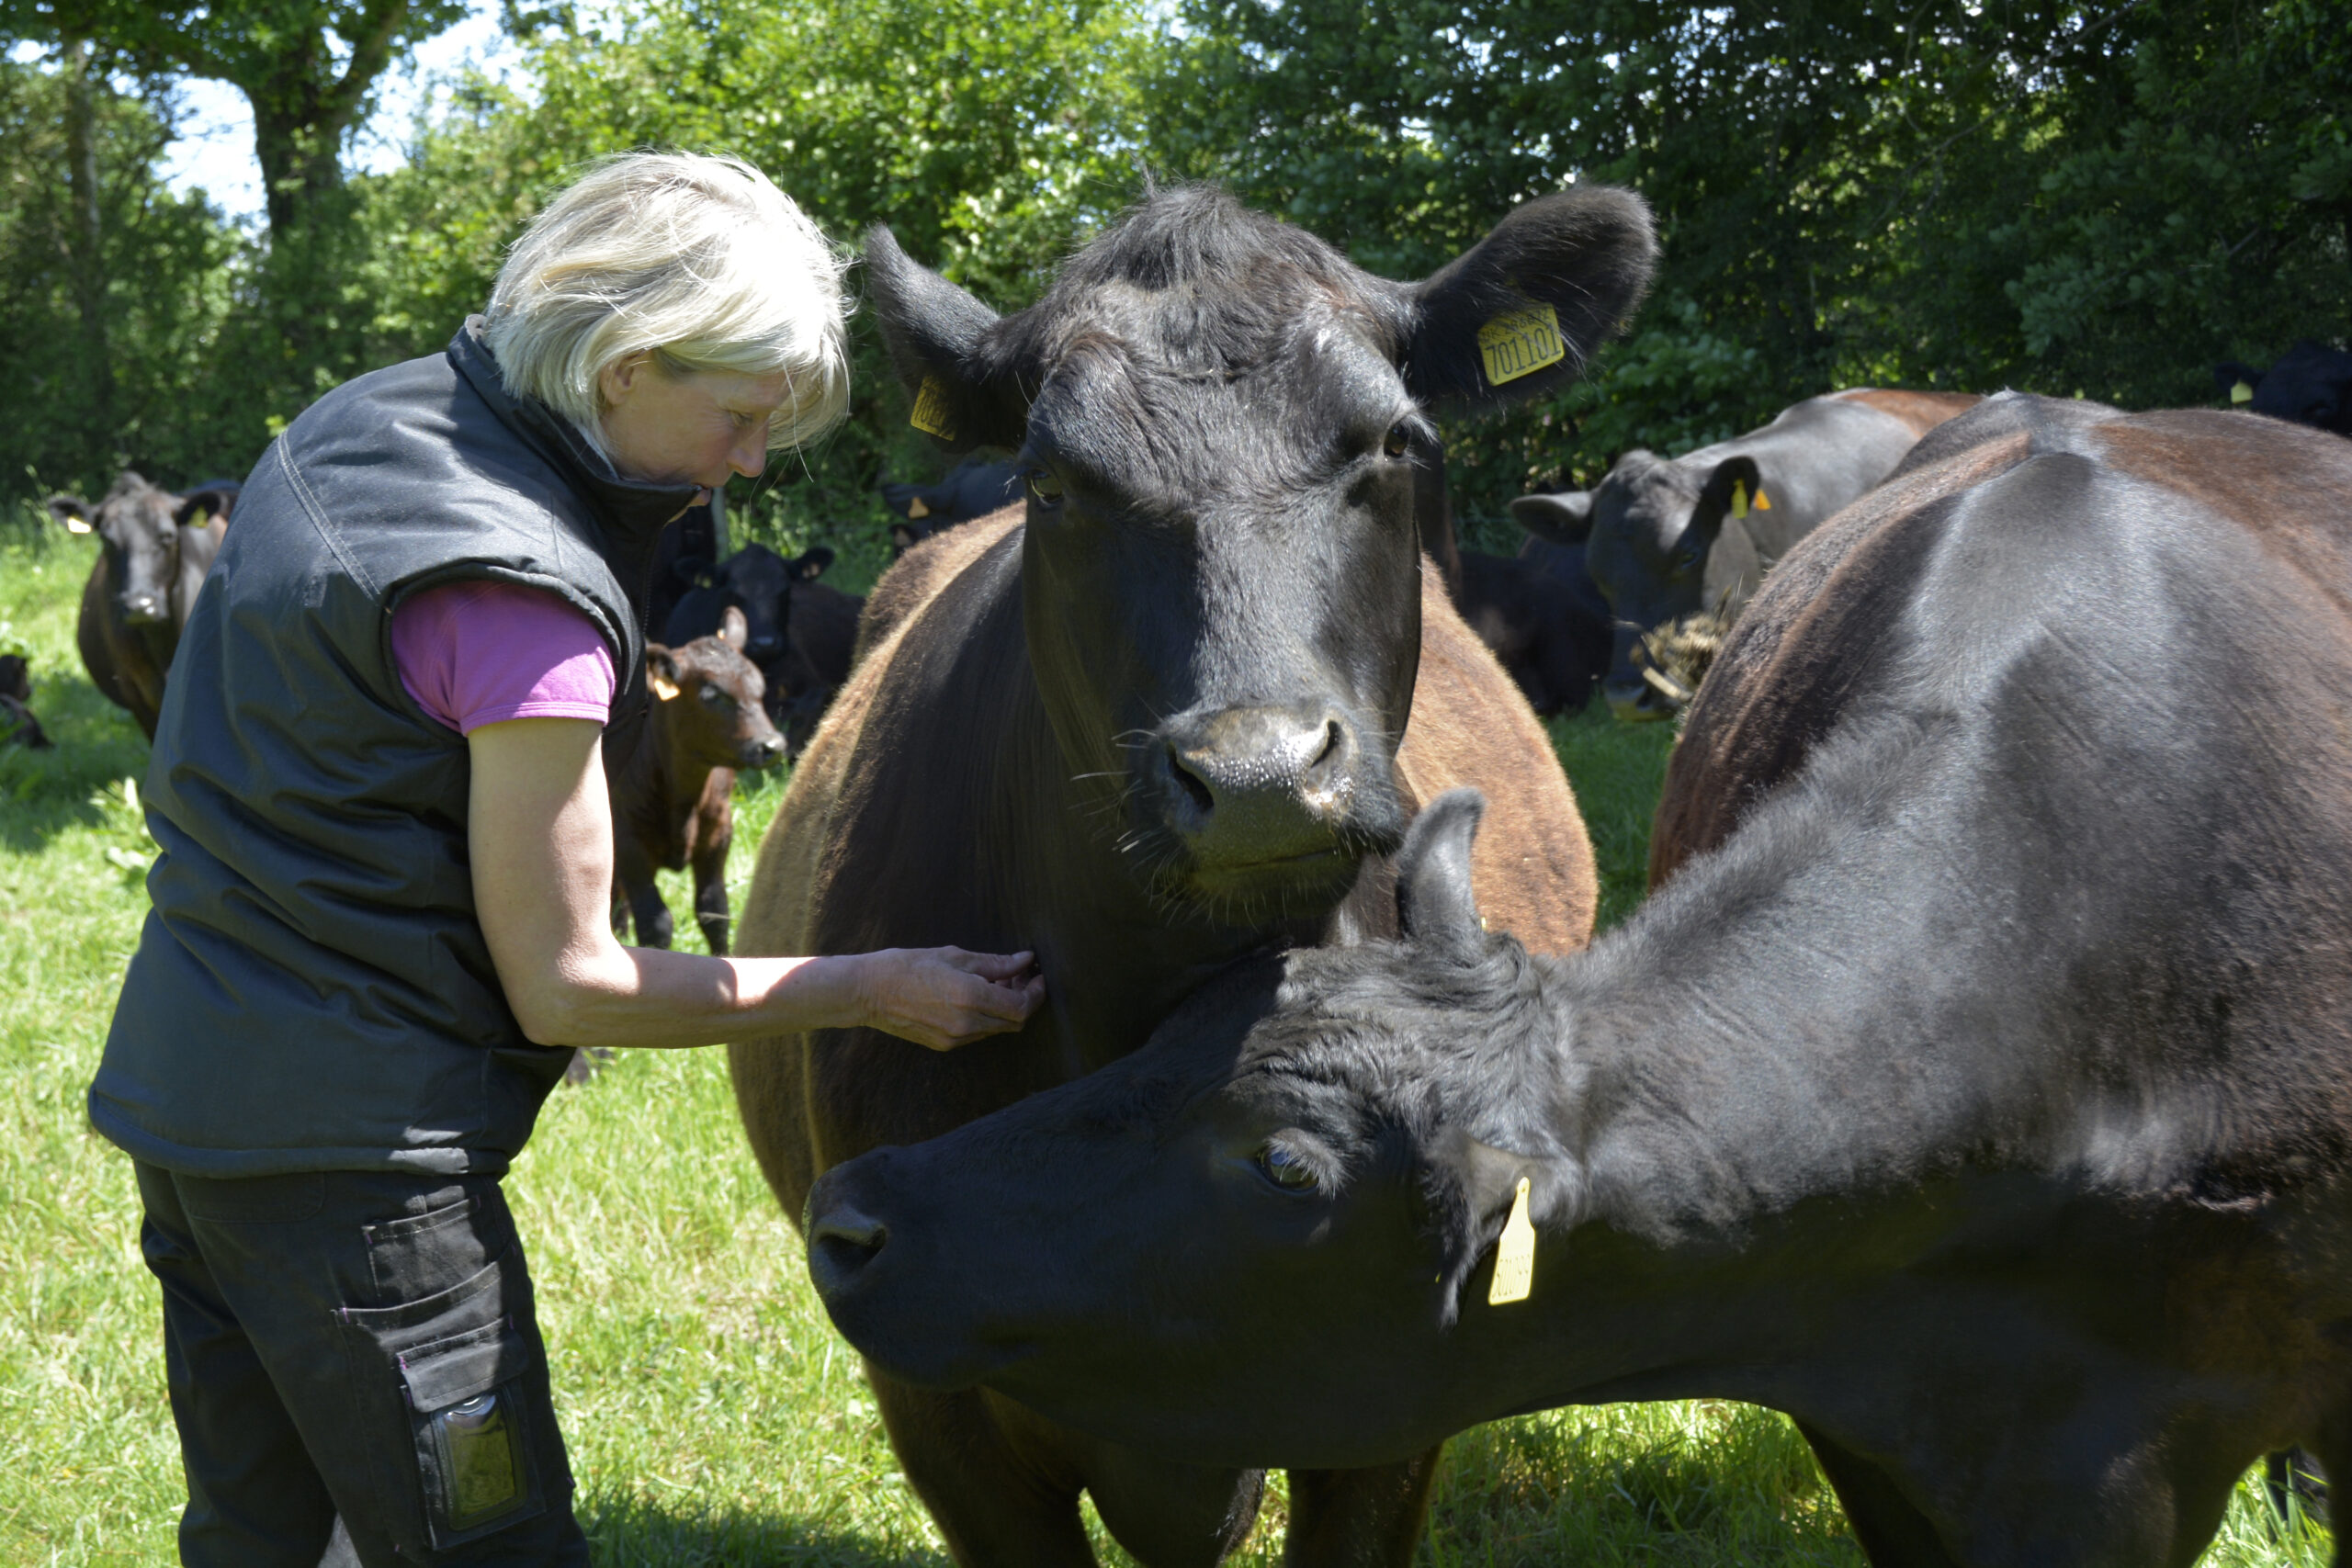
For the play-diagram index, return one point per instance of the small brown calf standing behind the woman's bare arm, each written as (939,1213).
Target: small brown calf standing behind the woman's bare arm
(671,798)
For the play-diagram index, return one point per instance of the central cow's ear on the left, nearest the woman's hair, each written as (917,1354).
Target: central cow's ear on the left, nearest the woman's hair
(937,344)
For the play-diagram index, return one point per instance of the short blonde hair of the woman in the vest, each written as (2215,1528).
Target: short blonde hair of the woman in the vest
(697,262)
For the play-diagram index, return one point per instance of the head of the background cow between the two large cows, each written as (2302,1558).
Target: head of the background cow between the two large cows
(1662,542)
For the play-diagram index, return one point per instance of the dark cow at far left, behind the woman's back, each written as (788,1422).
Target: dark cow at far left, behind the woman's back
(156,554)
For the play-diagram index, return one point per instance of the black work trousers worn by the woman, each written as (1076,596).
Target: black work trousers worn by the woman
(356,1346)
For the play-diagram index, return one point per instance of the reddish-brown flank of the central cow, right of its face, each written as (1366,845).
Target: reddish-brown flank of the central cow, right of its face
(1471,728)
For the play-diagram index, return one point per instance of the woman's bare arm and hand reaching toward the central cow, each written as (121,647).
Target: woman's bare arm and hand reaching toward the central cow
(540,831)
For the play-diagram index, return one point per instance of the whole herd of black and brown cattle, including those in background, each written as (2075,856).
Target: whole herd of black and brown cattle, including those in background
(1977,1087)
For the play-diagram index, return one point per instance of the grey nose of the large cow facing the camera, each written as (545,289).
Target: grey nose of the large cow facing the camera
(1259,784)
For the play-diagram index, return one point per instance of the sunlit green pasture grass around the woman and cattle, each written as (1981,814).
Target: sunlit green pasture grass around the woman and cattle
(714,1416)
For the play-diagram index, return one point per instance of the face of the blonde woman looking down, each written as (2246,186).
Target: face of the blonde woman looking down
(697,429)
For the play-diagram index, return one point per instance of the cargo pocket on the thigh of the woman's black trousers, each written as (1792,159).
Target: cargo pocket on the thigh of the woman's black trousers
(467,1379)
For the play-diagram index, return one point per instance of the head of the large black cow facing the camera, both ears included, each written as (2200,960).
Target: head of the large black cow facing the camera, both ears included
(1224,427)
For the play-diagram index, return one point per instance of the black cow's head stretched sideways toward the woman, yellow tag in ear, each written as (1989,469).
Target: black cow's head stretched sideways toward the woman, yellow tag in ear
(1259,1240)
